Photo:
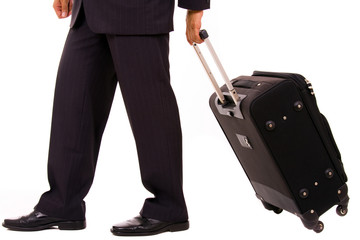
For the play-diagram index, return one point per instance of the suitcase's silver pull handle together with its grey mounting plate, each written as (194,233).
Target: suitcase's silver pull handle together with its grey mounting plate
(227,103)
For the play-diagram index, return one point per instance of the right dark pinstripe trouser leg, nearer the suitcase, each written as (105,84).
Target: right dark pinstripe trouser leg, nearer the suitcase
(142,68)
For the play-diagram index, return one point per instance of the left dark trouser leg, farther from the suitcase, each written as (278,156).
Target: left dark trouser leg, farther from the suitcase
(83,96)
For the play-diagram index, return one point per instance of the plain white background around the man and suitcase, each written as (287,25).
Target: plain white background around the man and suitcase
(319,39)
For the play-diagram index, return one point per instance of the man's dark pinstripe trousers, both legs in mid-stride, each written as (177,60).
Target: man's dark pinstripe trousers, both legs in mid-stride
(90,67)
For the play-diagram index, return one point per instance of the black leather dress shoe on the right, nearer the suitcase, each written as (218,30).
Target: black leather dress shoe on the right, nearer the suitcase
(140,226)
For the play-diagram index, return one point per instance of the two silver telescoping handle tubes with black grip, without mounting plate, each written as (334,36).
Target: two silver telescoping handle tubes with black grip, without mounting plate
(204,35)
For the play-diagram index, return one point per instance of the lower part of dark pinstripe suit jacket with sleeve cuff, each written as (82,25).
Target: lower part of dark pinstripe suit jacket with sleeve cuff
(132,17)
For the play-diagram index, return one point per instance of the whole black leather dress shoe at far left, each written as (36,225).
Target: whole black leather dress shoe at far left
(36,221)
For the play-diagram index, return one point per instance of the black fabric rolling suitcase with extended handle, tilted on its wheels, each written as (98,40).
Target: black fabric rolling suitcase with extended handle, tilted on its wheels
(282,141)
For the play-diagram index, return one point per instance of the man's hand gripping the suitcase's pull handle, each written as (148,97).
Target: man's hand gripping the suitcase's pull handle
(193,25)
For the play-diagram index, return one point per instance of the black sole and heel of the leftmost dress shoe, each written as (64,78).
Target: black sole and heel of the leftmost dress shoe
(69,225)
